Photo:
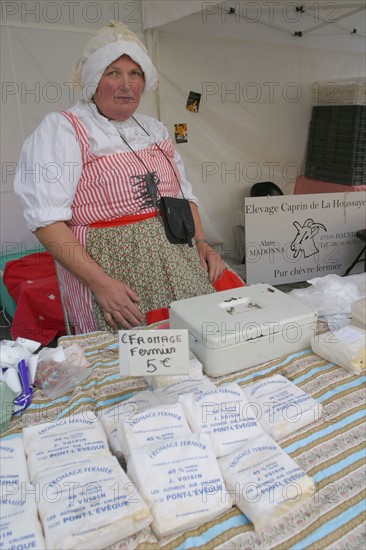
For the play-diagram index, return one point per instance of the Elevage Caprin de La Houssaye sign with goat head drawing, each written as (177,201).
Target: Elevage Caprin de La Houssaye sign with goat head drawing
(291,238)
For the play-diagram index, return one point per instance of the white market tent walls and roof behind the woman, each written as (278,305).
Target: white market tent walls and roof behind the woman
(257,65)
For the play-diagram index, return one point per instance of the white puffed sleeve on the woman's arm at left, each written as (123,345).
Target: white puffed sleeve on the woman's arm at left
(49,168)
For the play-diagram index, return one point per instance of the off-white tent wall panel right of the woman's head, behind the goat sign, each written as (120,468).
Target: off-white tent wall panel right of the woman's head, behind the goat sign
(253,117)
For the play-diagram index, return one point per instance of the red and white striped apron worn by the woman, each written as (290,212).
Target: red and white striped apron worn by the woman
(105,192)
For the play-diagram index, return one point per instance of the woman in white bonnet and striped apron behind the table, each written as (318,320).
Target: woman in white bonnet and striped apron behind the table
(93,200)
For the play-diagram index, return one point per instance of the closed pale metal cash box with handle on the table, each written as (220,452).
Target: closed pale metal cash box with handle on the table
(240,328)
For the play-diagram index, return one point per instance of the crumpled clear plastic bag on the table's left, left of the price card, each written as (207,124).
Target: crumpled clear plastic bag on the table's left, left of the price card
(56,379)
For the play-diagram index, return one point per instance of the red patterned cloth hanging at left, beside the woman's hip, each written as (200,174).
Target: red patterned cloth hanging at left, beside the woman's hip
(32,283)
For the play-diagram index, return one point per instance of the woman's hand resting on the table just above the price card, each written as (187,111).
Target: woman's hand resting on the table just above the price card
(117,302)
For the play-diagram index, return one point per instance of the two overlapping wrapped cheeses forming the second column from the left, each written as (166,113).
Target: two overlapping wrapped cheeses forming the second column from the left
(86,498)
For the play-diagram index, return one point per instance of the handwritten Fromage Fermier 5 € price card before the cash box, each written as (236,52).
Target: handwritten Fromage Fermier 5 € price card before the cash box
(153,352)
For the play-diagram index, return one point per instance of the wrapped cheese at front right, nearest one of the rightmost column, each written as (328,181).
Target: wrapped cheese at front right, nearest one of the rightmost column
(267,483)
